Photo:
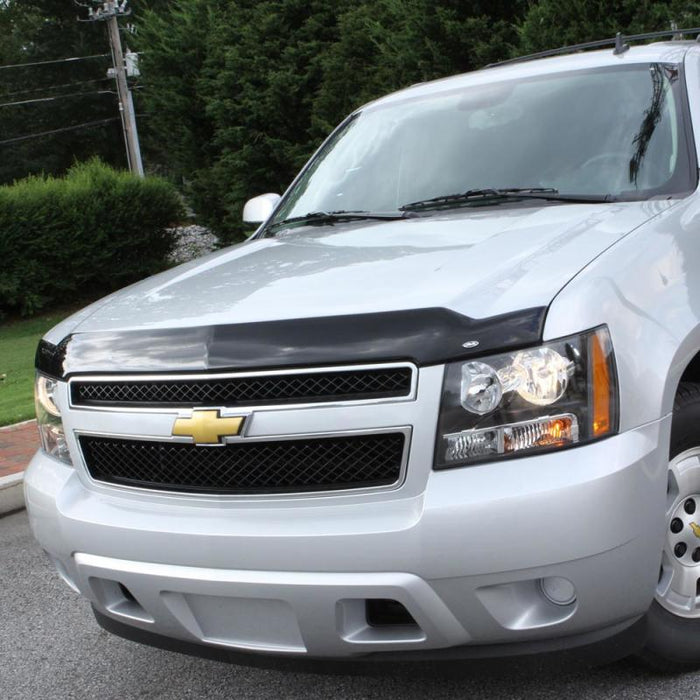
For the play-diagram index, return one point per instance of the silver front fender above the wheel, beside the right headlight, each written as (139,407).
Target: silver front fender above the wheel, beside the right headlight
(646,288)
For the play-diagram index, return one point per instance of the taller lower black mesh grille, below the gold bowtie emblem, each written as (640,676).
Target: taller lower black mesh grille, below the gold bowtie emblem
(317,464)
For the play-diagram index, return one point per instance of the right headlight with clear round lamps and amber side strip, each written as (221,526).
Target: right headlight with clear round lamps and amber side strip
(557,395)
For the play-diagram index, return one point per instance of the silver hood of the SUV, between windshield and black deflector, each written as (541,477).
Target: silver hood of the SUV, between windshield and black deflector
(478,263)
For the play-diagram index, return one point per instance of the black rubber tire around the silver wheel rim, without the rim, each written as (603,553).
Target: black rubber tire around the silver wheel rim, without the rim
(673,642)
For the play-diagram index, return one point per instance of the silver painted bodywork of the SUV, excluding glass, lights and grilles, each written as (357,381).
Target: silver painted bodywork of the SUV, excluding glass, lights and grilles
(462,549)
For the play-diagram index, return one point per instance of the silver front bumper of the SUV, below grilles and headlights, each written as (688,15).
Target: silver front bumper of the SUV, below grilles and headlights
(291,577)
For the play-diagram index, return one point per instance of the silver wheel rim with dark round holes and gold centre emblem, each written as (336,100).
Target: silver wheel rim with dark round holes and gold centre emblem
(678,589)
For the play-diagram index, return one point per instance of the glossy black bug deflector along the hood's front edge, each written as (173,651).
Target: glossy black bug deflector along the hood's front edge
(423,336)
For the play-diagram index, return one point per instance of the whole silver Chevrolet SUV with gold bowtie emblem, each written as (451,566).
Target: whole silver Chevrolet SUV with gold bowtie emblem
(443,403)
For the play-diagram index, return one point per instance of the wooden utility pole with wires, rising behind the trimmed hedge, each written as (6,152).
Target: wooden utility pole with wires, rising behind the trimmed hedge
(109,11)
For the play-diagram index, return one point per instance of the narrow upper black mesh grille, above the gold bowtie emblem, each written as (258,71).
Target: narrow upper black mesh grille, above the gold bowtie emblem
(246,391)
